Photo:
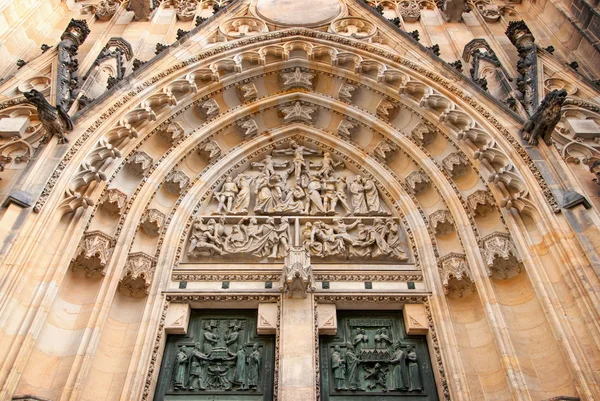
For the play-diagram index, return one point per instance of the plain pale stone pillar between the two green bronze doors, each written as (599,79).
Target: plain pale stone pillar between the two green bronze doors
(297,368)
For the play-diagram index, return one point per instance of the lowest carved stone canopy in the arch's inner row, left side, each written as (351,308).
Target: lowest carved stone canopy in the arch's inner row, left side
(137,275)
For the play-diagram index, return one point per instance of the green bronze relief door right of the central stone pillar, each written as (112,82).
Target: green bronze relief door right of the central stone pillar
(371,358)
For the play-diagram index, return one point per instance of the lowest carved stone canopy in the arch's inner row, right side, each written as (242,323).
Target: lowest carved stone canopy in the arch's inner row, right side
(455,275)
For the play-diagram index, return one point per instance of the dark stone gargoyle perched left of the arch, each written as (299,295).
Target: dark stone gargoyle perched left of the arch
(55,120)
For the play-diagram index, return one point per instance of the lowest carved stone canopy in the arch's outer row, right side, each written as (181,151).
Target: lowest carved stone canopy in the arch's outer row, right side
(500,256)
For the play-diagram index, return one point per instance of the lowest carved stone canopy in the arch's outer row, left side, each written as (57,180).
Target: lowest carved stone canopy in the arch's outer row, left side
(93,253)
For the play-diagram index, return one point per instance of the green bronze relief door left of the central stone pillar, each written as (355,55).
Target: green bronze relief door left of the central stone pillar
(221,358)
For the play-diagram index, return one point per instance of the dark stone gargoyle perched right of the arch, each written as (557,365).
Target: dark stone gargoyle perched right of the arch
(544,120)
